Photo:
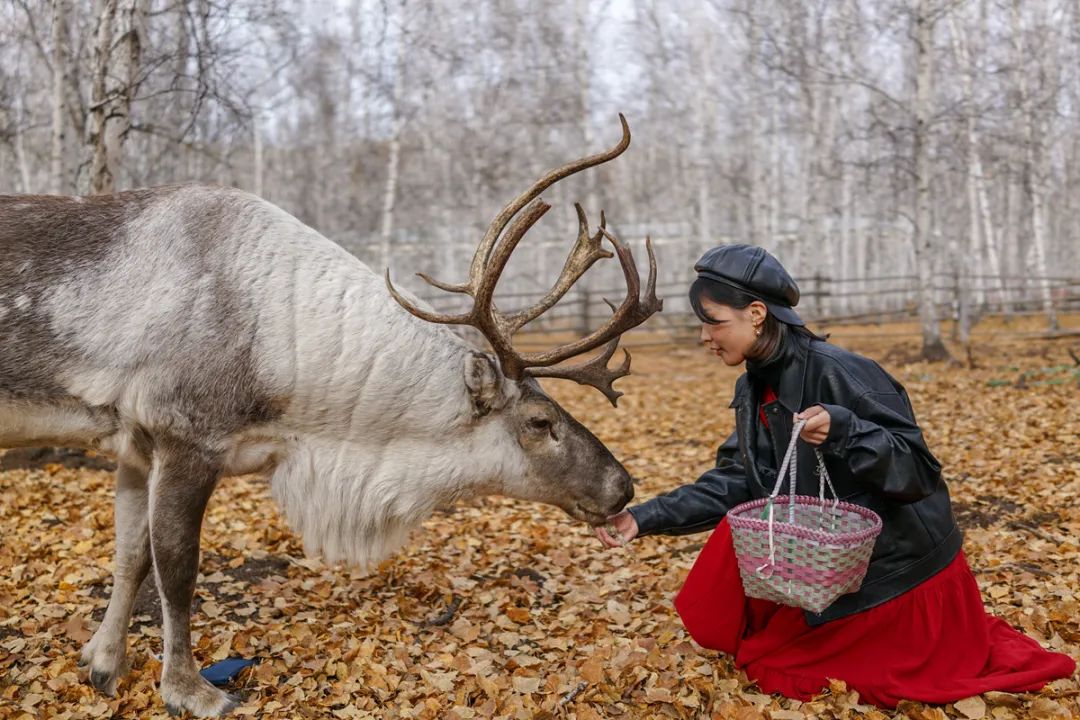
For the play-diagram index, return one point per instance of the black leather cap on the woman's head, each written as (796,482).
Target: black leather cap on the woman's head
(752,270)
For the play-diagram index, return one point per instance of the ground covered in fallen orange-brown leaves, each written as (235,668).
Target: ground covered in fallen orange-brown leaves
(508,609)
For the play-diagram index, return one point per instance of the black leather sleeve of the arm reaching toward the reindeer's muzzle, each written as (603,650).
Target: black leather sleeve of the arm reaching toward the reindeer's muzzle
(700,506)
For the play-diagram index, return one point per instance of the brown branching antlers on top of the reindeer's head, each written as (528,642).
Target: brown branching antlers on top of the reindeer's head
(499,329)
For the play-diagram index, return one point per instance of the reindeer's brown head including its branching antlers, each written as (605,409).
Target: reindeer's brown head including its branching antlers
(562,464)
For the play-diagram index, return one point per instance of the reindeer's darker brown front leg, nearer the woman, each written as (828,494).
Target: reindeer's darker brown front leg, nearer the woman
(182,482)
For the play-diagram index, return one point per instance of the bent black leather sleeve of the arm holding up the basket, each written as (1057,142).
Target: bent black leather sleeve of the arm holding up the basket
(882,445)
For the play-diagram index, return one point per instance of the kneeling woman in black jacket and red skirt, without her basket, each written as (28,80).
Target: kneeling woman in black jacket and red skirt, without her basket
(916,629)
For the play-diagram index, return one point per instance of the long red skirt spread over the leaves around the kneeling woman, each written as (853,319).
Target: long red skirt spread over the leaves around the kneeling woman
(935,644)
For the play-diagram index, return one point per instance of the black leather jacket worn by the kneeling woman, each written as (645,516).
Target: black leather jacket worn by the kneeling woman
(875,456)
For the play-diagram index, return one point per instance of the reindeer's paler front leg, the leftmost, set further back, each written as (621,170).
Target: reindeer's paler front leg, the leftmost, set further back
(106,654)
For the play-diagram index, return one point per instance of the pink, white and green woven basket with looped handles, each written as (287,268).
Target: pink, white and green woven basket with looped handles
(820,553)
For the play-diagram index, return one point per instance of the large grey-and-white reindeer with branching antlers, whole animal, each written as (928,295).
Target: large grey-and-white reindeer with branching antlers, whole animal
(196,333)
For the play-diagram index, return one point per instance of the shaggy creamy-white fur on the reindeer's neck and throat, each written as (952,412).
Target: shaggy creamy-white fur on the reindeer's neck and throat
(380,423)
